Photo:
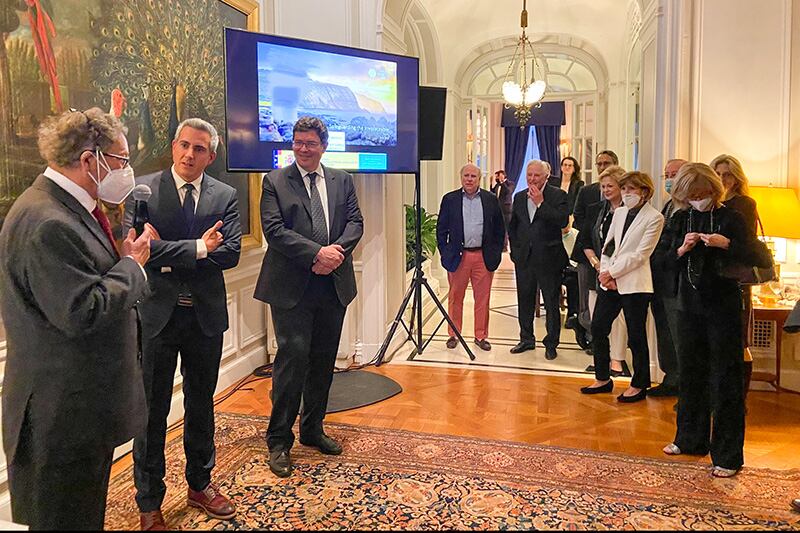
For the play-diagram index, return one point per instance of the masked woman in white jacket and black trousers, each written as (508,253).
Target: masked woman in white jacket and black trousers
(627,285)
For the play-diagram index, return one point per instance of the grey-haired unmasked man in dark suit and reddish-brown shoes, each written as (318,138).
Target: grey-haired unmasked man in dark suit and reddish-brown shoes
(200,234)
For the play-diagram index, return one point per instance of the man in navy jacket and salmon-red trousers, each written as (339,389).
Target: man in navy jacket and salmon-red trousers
(470,231)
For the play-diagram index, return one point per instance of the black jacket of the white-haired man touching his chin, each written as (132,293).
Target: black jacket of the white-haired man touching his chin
(540,241)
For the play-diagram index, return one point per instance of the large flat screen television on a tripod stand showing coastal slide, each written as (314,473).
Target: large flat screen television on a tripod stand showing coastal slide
(367,99)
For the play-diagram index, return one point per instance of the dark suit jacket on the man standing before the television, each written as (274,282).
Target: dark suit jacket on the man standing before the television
(286,221)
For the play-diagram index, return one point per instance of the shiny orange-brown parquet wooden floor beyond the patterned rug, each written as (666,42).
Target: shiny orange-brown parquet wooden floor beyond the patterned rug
(543,410)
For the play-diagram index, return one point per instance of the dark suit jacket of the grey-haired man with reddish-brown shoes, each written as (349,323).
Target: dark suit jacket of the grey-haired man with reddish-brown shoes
(173,266)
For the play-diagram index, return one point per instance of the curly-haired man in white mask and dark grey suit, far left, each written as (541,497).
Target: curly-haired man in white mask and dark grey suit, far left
(72,390)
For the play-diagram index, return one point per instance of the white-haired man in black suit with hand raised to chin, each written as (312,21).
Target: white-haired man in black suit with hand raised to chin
(538,253)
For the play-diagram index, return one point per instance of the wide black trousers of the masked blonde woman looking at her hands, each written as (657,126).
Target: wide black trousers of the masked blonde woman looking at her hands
(711,401)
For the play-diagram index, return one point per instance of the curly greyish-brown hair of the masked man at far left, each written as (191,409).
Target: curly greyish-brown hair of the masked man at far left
(63,138)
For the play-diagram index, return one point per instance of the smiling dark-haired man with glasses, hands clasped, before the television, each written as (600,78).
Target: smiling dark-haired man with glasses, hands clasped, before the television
(311,219)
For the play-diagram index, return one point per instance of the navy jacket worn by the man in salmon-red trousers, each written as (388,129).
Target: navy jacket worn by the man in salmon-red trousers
(450,230)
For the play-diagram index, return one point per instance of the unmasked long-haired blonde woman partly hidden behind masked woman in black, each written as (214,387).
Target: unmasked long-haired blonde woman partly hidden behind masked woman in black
(736,186)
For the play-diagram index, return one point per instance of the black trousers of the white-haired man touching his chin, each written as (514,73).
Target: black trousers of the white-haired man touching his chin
(529,280)
